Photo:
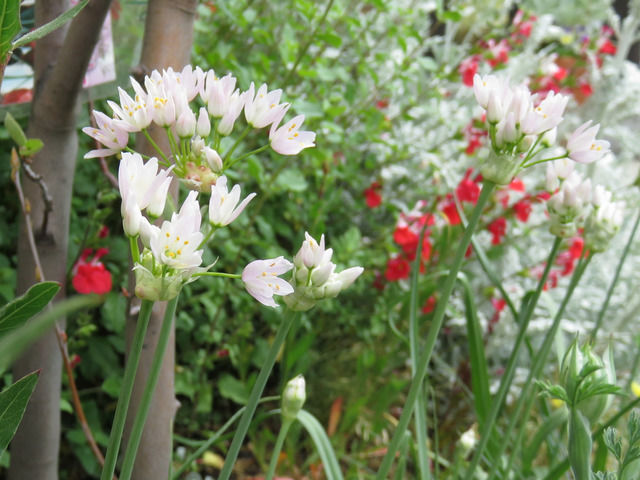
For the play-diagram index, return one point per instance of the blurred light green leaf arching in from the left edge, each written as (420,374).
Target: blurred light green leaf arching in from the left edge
(12,344)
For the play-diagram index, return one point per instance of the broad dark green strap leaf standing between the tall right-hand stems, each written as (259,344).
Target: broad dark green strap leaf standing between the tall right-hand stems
(477,359)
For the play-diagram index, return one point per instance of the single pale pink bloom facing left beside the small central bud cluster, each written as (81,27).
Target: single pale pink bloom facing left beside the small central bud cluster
(262,281)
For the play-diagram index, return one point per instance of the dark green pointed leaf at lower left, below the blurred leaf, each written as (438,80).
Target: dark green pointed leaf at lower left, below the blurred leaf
(13,402)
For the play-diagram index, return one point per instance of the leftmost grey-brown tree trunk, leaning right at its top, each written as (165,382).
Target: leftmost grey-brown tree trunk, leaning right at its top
(60,63)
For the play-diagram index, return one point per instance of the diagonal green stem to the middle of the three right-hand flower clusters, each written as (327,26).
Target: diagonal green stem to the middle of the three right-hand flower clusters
(507,376)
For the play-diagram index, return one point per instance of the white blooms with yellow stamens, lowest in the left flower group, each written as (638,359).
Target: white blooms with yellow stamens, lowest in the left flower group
(176,242)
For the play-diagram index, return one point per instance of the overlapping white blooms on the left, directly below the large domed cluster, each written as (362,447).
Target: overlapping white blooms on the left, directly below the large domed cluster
(141,186)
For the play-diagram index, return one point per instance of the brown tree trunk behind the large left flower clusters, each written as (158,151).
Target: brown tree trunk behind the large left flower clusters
(168,39)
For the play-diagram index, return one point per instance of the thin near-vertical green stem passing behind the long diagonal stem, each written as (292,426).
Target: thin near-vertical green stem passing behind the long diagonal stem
(420,418)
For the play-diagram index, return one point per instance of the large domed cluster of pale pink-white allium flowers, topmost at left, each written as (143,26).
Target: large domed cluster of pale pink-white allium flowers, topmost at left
(165,100)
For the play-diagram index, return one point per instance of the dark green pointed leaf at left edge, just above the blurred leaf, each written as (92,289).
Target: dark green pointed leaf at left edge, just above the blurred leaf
(21,309)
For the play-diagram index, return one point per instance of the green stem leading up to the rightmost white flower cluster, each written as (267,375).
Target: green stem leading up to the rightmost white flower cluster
(527,395)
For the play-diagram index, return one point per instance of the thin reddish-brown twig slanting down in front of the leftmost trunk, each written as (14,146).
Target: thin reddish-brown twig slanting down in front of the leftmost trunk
(61,336)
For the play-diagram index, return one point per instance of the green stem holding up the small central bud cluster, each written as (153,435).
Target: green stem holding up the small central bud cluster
(256,391)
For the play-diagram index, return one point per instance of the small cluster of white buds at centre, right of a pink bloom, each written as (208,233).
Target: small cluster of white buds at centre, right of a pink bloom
(314,277)
